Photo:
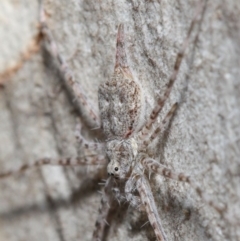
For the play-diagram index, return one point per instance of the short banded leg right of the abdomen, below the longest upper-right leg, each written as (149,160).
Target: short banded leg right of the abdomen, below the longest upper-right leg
(161,127)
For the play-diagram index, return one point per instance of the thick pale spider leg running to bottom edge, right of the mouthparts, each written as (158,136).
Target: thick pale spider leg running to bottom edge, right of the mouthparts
(150,207)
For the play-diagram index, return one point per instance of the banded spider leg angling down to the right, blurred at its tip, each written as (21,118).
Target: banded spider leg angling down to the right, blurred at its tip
(153,166)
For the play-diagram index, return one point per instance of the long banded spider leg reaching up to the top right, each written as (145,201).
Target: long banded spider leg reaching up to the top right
(160,102)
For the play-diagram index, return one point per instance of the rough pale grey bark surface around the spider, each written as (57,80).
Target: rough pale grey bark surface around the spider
(38,118)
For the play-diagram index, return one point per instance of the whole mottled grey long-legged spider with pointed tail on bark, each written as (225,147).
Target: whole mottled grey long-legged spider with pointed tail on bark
(121,104)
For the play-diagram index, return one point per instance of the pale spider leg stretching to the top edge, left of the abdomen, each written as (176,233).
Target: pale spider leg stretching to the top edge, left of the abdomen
(87,109)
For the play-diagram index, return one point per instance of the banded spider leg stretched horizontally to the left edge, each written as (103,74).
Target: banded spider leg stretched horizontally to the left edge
(86,160)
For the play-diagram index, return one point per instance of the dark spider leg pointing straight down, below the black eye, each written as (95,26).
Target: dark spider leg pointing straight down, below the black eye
(104,209)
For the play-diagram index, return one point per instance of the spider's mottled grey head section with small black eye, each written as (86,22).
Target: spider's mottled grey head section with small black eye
(121,155)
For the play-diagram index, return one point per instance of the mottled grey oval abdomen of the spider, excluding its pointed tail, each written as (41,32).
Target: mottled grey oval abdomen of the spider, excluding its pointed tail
(120,104)
